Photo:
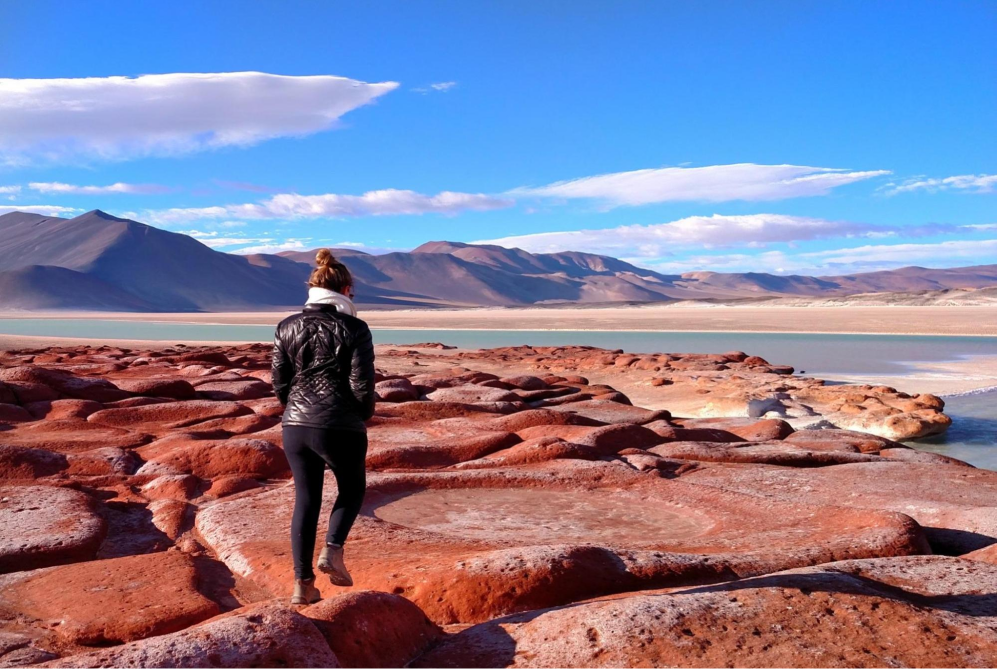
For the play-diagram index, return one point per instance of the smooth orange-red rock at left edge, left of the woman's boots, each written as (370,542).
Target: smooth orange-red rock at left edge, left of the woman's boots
(109,601)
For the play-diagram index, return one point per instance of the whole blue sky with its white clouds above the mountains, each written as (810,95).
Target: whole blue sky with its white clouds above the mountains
(821,137)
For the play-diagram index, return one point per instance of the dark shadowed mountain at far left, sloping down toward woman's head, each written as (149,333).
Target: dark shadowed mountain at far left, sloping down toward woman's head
(149,268)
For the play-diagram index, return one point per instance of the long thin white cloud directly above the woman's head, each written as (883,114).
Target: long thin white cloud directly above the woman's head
(331,205)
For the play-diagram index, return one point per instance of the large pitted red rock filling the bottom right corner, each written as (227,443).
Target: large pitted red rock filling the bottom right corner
(911,611)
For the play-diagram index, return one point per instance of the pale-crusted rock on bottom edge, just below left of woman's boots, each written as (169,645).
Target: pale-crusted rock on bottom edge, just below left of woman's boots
(258,637)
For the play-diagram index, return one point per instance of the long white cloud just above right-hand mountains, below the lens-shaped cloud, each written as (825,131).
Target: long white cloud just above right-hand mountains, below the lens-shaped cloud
(661,239)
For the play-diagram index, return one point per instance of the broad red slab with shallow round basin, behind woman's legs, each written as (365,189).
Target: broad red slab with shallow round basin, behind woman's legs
(467,546)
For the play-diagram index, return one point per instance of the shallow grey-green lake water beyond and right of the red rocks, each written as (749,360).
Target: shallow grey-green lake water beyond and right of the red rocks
(973,436)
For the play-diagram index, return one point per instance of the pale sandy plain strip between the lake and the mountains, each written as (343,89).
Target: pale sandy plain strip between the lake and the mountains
(929,320)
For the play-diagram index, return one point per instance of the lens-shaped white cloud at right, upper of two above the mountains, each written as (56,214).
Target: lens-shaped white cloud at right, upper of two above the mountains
(714,183)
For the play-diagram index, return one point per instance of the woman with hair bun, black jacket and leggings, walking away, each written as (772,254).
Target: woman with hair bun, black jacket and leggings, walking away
(323,370)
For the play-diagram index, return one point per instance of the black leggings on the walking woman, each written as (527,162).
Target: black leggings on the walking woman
(309,450)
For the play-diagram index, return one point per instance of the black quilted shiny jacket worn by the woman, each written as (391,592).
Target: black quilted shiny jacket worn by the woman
(323,369)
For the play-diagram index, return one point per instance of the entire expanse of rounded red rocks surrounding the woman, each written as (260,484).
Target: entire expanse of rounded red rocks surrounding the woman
(505,485)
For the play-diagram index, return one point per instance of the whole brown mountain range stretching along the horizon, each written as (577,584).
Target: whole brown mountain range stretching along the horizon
(100,262)
